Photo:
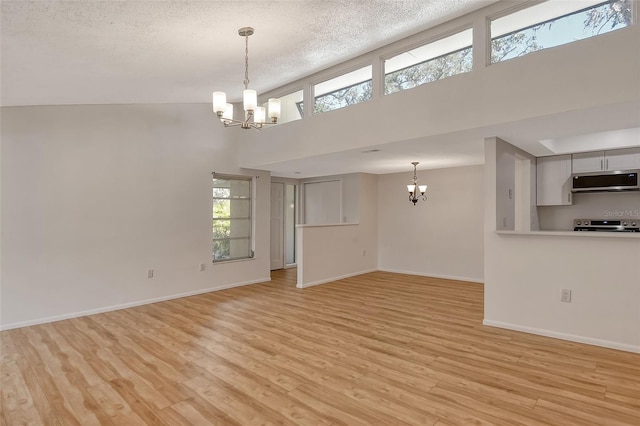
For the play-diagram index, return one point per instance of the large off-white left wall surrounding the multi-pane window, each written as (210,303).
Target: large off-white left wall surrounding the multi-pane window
(94,196)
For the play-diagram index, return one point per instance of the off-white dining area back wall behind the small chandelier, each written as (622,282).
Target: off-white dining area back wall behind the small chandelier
(440,237)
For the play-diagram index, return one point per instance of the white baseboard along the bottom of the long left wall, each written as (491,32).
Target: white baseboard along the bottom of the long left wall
(126,305)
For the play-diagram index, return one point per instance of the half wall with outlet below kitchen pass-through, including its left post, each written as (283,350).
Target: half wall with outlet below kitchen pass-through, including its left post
(525,273)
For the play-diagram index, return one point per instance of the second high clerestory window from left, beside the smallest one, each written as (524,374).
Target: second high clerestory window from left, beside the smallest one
(347,89)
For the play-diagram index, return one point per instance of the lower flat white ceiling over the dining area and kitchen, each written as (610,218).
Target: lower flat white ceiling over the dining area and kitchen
(606,127)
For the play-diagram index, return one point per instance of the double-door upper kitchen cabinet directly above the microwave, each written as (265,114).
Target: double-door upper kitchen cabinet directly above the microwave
(598,161)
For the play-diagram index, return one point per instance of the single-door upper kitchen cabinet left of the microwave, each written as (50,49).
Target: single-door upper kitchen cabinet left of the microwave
(553,180)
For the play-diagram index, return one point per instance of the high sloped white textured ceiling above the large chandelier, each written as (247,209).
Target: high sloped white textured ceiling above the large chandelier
(96,52)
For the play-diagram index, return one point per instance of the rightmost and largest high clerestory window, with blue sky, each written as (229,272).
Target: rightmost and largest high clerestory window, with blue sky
(553,23)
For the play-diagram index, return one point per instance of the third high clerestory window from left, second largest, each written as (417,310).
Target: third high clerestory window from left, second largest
(433,61)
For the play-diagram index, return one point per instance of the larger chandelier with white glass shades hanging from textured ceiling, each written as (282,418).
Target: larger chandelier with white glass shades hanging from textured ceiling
(254,115)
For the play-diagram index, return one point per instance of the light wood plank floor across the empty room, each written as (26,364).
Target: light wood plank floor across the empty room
(378,349)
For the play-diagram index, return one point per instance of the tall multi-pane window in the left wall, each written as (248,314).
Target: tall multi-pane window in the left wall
(232,236)
